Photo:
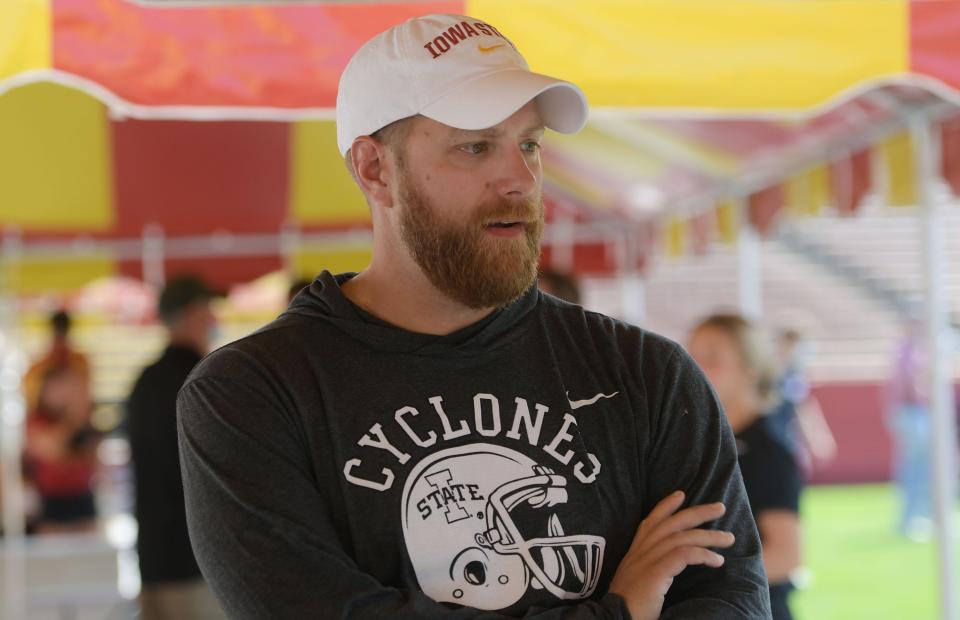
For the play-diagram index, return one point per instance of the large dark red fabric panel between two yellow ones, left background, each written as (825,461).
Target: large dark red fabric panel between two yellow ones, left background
(197,178)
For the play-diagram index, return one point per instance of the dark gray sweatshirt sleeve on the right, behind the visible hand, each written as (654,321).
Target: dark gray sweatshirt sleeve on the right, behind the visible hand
(694,450)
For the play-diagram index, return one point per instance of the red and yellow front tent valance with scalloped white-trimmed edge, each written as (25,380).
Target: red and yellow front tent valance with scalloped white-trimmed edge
(703,54)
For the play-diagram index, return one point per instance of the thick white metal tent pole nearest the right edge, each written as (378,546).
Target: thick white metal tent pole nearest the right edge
(944,435)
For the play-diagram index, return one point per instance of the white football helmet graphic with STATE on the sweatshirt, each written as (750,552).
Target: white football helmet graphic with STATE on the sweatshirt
(462,509)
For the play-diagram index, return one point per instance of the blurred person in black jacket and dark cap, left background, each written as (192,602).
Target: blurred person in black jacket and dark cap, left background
(172,584)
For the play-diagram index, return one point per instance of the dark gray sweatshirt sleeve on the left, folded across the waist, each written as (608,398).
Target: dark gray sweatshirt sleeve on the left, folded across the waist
(262,533)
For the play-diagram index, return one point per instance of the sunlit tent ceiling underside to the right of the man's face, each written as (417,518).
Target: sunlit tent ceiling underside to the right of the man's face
(641,167)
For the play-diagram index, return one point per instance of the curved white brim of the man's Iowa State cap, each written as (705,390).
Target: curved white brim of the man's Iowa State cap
(490,99)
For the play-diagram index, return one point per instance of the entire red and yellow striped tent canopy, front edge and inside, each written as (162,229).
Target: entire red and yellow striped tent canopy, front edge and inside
(742,96)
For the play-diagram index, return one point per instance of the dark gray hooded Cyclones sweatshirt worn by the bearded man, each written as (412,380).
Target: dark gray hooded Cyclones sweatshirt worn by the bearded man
(336,466)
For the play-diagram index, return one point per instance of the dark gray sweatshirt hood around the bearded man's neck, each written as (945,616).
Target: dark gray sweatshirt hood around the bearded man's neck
(324,300)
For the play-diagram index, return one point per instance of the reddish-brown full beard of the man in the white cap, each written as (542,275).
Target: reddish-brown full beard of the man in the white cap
(461,259)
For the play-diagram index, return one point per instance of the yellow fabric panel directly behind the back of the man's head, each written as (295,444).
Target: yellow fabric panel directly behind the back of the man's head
(321,190)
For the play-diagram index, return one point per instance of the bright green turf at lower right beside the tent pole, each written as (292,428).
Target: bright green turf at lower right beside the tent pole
(859,567)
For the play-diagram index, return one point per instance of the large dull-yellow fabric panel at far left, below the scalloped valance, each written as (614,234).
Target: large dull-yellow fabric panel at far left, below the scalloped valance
(55,162)
